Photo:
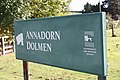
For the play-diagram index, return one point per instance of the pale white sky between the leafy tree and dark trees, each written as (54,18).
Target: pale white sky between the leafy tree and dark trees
(78,5)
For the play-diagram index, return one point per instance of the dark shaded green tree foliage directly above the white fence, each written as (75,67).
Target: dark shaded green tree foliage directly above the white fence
(8,11)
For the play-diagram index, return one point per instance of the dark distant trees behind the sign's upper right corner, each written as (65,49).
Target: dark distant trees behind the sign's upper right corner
(109,6)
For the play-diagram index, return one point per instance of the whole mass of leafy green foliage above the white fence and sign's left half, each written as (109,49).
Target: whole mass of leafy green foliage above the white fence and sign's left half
(24,9)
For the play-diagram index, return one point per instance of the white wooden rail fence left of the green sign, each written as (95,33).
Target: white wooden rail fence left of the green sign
(6,46)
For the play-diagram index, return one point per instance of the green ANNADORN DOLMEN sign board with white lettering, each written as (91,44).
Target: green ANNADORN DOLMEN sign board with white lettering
(76,42)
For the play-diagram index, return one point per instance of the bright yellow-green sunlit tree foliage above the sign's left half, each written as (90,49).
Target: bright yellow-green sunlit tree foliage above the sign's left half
(43,8)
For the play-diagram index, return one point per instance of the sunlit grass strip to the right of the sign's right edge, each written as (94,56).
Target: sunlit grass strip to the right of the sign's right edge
(113,55)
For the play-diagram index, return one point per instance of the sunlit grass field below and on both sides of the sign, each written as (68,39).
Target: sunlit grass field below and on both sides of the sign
(11,69)
